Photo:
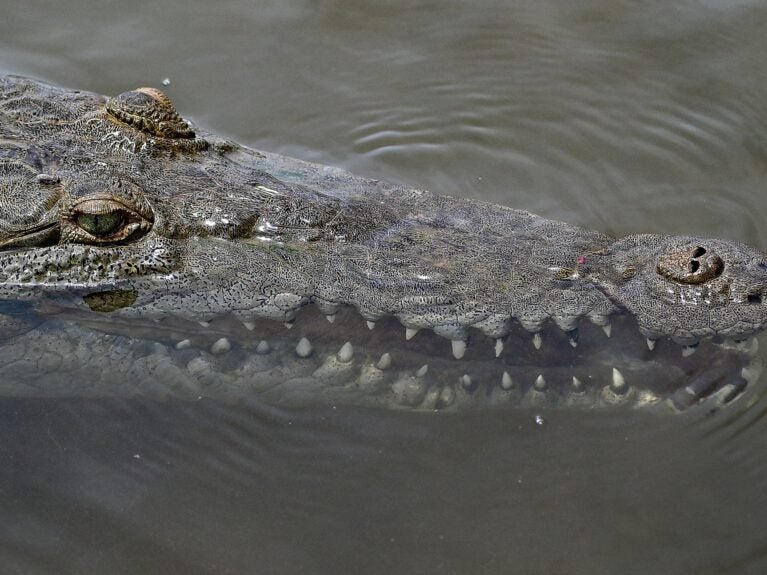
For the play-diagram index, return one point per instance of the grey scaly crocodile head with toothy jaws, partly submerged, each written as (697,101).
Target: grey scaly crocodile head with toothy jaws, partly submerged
(142,255)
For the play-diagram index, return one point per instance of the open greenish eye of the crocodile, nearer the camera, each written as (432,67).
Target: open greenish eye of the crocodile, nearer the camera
(102,221)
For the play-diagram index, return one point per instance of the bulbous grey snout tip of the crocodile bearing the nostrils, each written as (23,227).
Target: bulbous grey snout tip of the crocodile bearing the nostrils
(686,288)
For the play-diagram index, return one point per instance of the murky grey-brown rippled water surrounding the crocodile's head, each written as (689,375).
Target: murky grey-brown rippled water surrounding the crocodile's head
(620,116)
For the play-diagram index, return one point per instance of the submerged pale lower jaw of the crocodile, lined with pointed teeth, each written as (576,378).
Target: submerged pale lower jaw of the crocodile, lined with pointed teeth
(99,355)
